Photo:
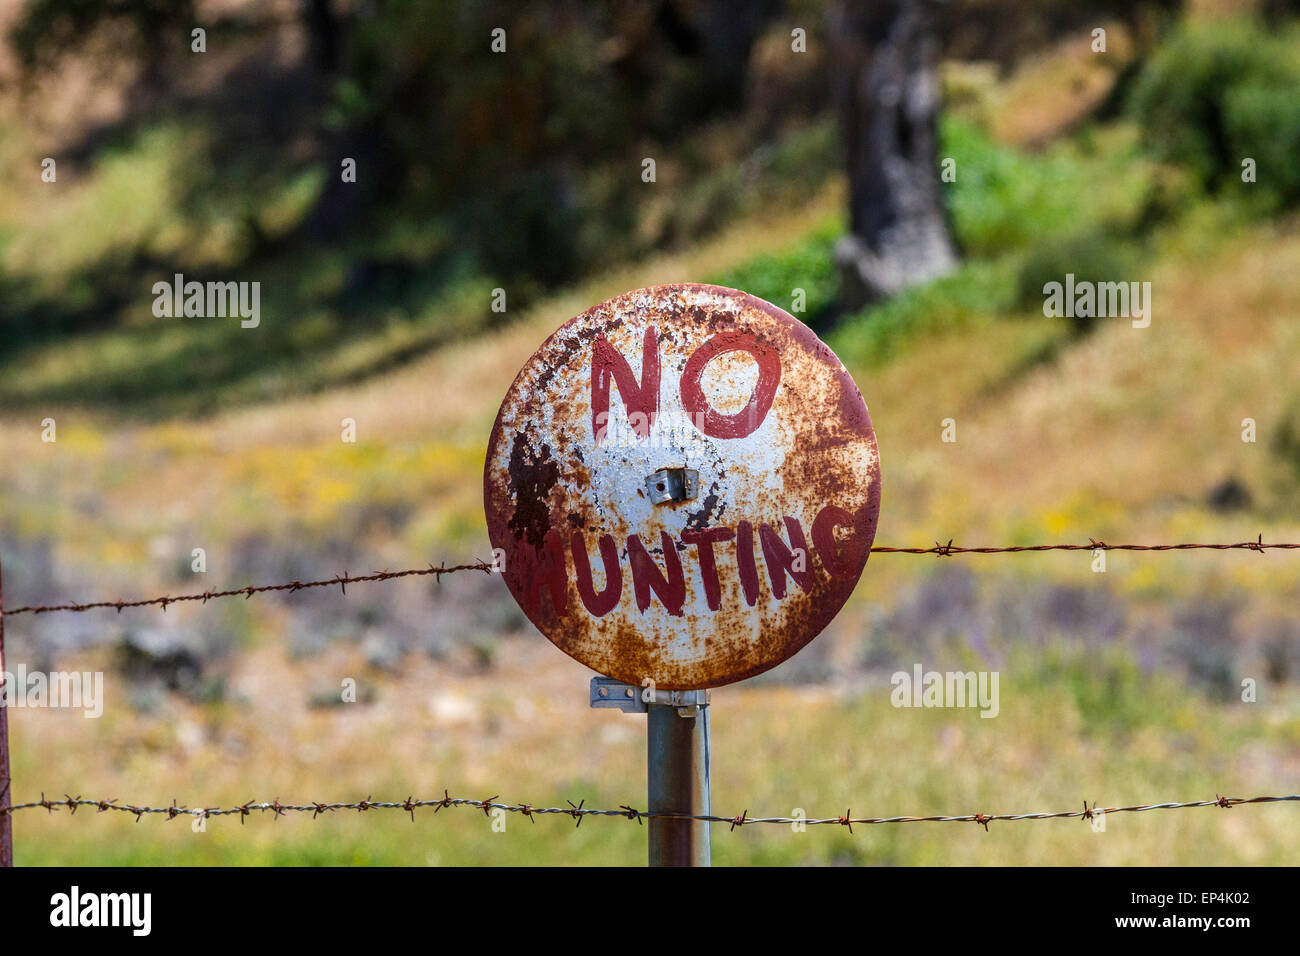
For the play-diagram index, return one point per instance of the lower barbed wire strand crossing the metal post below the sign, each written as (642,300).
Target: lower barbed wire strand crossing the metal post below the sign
(579,812)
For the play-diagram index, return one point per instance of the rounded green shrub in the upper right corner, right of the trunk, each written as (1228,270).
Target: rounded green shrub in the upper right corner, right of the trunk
(1220,93)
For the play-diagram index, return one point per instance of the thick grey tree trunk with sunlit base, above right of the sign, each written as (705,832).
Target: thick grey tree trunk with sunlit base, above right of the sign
(887,81)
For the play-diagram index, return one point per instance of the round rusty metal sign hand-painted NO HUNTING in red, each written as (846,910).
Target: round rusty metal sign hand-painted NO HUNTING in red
(682,487)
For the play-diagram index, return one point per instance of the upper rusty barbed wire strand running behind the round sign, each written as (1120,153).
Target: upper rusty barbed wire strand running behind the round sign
(440,570)
